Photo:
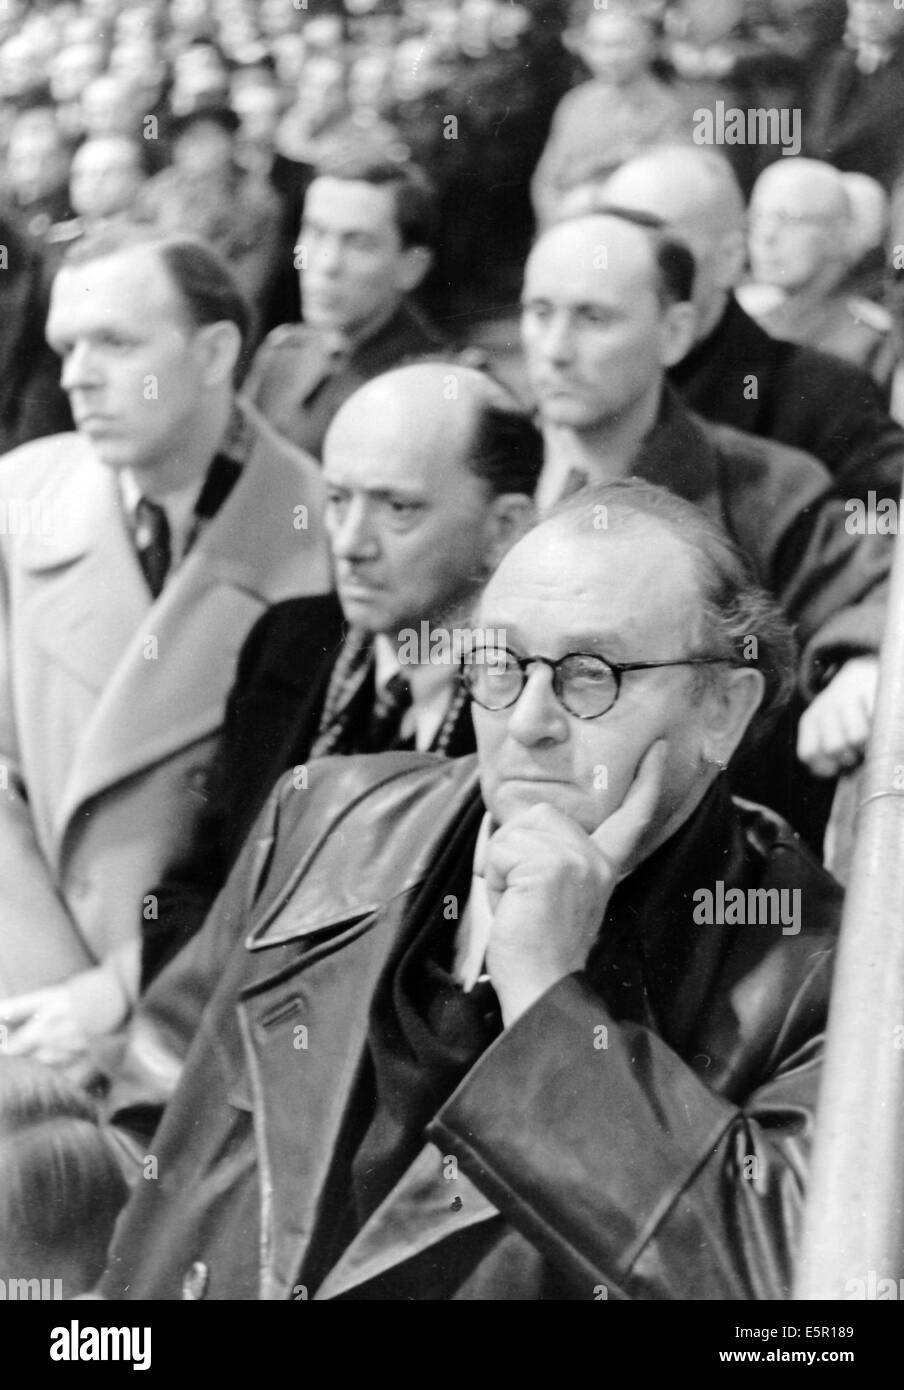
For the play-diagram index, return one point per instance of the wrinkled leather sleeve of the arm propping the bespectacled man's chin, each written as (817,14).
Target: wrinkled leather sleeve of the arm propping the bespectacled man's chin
(624,1168)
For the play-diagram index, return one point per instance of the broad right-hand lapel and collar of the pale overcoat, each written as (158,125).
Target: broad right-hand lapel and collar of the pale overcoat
(177,657)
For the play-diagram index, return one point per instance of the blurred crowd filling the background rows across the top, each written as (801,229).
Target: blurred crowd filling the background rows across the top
(212,116)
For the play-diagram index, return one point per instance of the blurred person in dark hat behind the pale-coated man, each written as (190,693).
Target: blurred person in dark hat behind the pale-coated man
(207,194)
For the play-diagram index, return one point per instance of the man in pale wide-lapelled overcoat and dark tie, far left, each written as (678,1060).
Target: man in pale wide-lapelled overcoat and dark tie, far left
(156,537)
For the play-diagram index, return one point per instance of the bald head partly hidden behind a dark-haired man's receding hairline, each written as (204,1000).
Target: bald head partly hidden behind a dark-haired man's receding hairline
(695,193)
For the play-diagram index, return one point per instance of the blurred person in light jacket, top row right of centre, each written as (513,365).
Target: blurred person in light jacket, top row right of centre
(607,120)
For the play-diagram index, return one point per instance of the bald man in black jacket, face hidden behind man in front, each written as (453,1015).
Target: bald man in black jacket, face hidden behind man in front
(735,372)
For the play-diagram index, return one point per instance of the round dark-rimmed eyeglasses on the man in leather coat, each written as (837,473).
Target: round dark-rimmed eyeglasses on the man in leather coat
(585,685)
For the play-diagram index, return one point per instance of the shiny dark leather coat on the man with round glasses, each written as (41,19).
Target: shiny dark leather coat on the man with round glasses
(667,1160)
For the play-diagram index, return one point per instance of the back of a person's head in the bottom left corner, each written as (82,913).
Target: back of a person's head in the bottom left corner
(60,1184)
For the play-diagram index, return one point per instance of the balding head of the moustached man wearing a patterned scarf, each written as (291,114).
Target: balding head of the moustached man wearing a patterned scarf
(430,471)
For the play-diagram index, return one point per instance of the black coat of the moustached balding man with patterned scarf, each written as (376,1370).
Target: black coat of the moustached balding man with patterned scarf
(271,725)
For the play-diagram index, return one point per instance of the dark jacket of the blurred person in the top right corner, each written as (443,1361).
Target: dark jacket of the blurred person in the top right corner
(856,120)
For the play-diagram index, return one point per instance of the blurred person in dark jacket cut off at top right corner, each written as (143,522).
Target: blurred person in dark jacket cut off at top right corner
(856,101)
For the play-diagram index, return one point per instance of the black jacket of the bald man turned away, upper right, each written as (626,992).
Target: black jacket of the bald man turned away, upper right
(803,398)
